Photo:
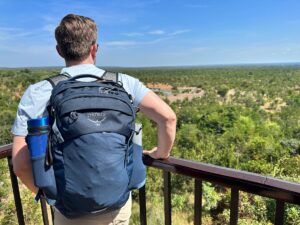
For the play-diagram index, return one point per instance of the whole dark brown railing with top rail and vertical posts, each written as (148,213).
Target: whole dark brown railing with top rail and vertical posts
(281,191)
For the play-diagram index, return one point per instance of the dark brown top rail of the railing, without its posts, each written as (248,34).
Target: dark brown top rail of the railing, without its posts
(247,181)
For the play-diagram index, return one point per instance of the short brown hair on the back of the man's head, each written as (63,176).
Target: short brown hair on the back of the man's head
(75,35)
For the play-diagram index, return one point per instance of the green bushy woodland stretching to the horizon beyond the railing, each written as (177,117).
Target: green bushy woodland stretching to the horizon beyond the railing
(243,117)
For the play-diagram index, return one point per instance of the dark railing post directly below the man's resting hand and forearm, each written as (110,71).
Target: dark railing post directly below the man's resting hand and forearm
(167,198)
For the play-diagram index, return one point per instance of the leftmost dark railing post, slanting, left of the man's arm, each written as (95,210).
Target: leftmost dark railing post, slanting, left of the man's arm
(16,192)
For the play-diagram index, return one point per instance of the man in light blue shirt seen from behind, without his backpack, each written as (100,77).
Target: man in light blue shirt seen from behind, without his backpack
(76,38)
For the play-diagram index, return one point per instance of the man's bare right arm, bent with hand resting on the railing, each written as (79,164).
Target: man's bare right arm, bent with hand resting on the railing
(153,107)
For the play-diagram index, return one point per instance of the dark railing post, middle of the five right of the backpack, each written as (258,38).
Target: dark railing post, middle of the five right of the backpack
(198,202)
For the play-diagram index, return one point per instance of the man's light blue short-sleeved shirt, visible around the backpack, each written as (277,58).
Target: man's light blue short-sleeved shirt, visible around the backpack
(36,97)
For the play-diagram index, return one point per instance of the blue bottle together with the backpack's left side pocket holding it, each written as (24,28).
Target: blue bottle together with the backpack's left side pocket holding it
(37,142)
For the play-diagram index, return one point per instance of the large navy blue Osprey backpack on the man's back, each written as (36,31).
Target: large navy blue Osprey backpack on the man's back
(95,162)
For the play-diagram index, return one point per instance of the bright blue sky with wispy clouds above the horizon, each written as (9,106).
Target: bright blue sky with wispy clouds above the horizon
(136,33)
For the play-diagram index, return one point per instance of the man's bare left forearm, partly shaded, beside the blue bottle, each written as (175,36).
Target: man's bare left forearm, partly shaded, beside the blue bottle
(21,162)
